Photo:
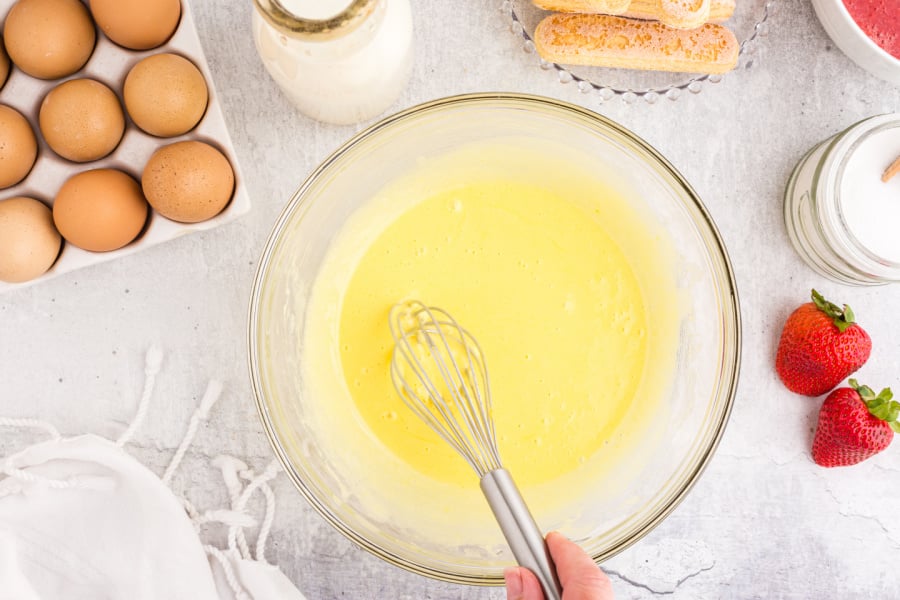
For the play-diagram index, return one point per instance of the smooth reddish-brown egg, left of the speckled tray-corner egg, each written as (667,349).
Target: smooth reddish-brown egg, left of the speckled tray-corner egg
(100,210)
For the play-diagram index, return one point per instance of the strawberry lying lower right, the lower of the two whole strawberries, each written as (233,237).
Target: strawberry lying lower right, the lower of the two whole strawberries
(854,424)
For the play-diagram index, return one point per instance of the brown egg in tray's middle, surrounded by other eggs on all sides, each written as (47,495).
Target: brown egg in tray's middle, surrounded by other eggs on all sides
(82,120)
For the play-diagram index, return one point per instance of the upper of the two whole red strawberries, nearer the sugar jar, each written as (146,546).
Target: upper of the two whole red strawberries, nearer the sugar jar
(820,346)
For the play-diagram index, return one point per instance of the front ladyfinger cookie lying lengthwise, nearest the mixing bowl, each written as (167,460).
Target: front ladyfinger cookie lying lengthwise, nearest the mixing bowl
(606,41)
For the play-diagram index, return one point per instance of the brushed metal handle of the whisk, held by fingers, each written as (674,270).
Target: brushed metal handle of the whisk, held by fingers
(521,532)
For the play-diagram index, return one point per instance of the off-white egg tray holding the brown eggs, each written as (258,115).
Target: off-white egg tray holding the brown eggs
(110,64)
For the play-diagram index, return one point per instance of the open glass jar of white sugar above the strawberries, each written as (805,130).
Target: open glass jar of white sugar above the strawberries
(842,204)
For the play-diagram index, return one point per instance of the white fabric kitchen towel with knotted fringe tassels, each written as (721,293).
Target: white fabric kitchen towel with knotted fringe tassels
(80,518)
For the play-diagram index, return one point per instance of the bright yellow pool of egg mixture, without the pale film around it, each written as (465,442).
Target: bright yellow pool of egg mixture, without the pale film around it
(548,295)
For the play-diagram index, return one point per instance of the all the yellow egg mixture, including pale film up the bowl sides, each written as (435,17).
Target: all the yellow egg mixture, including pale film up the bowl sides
(566,290)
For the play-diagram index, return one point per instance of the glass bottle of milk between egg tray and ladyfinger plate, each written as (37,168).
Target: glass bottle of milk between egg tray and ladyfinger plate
(339,61)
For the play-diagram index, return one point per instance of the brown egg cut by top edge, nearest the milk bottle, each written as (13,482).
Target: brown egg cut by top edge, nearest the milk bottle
(137,24)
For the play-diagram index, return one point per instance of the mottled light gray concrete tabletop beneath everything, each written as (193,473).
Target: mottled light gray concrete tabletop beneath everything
(763,522)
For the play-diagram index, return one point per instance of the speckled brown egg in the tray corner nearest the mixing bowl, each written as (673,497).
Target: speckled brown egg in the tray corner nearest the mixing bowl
(188,181)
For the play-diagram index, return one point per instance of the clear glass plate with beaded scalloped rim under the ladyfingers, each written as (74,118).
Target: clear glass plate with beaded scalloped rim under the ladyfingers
(749,23)
